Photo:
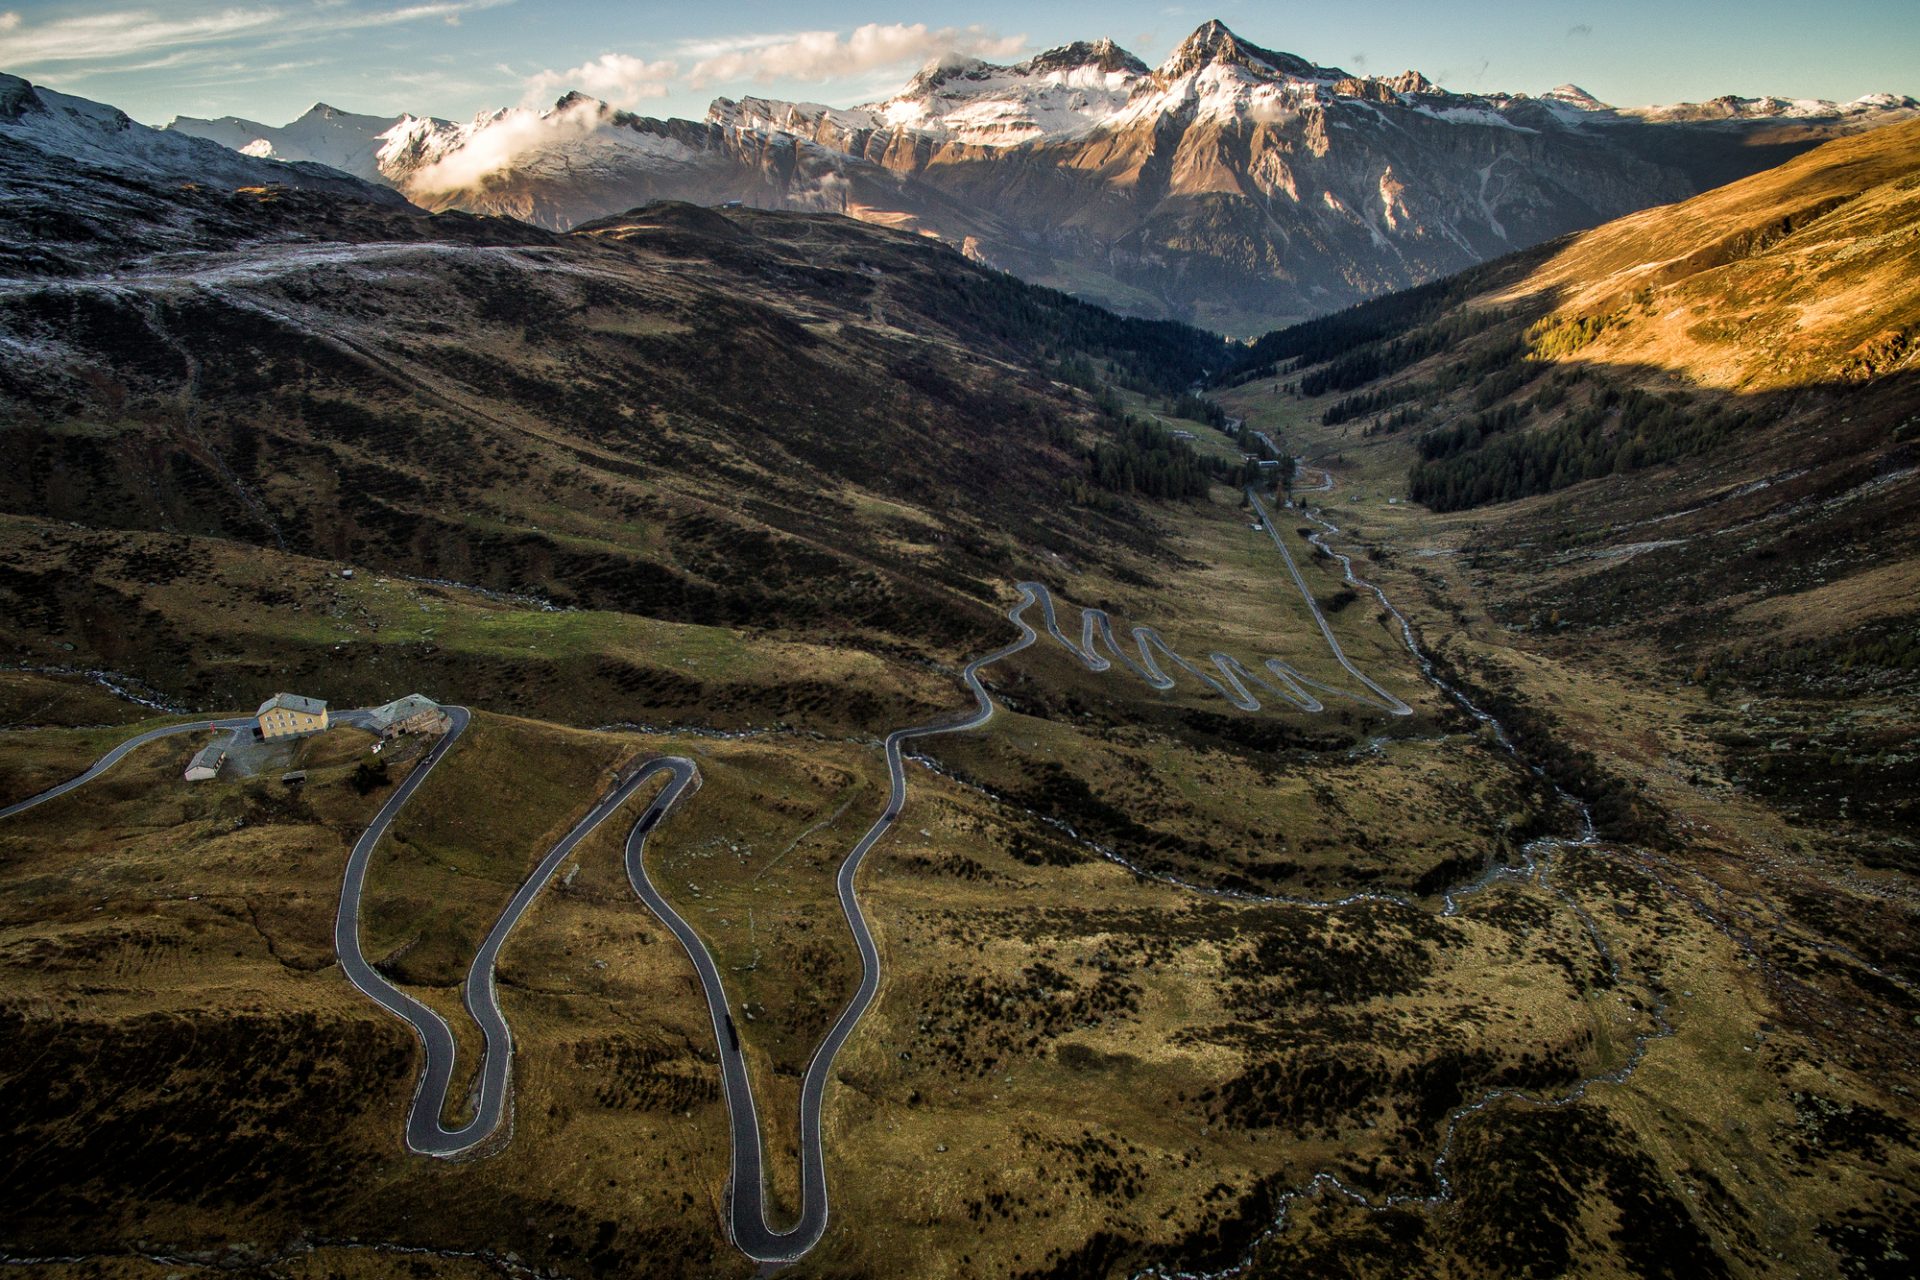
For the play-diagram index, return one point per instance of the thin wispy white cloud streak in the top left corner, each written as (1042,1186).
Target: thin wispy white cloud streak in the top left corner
(124,34)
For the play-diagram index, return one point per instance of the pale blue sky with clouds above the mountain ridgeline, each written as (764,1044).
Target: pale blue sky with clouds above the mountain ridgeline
(272,59)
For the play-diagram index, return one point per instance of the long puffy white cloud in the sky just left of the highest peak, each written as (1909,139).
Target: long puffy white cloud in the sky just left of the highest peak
(828,57)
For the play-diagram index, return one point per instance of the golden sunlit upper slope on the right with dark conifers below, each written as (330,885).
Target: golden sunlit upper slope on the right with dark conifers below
(1666,335)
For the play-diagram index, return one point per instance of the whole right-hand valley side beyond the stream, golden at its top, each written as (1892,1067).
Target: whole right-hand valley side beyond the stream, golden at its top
(1666,523)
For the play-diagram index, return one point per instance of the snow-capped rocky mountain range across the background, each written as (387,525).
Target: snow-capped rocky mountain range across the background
(1234,185)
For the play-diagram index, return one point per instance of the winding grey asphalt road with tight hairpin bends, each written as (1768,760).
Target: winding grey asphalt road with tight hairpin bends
(748,1223)
